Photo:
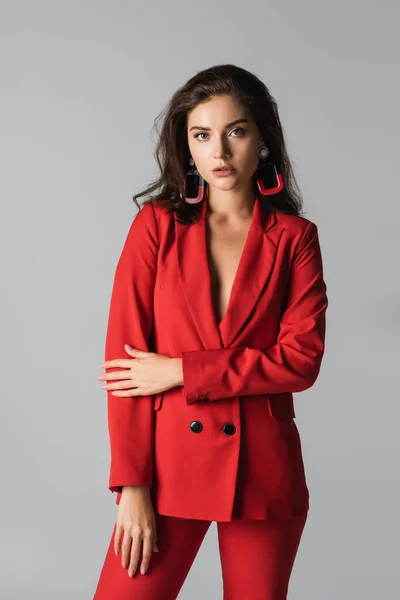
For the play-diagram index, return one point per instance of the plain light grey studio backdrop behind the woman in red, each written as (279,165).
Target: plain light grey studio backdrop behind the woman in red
(81,83)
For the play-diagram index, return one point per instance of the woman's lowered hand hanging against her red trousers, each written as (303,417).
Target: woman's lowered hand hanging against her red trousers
(136,524)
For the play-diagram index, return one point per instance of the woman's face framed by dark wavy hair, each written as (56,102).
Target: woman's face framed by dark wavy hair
(214,141)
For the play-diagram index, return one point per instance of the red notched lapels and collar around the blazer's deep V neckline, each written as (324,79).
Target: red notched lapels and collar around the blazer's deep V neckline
(255,266)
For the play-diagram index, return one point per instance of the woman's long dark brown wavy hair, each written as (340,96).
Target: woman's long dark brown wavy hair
(172,149)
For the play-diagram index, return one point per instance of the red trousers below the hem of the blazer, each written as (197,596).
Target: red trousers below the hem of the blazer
(256,559)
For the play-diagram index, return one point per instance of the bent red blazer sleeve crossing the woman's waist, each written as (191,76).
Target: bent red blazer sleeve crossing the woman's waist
(293,363)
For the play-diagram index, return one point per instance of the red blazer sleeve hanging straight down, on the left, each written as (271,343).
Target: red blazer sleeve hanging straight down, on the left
(130,321)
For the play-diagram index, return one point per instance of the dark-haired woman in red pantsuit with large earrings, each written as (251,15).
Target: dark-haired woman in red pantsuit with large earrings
(219,293)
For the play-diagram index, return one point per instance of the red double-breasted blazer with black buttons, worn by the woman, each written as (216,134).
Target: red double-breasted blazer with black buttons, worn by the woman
(224,445)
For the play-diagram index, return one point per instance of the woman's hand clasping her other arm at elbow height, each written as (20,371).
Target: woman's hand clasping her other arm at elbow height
(146,373)
